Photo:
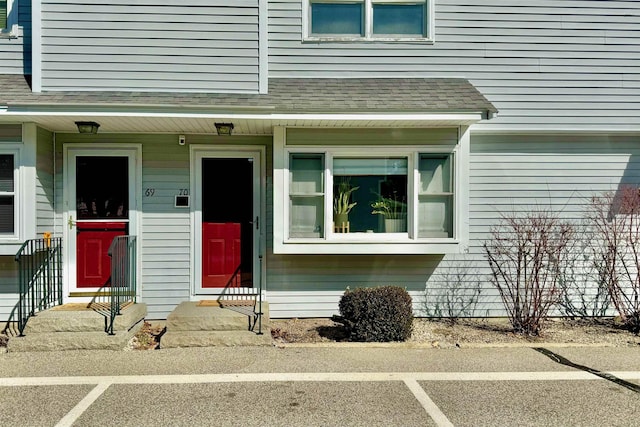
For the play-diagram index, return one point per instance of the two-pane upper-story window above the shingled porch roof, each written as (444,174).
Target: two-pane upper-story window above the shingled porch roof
(375,20)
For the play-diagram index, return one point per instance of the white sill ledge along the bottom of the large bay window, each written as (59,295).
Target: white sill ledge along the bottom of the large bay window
(355,247)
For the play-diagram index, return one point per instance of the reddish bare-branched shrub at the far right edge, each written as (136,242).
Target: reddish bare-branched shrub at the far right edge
(614,220)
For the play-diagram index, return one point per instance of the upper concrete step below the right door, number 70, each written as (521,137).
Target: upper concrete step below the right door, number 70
(189,316)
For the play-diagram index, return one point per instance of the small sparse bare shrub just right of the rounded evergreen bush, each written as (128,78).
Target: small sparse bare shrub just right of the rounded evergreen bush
(455,293)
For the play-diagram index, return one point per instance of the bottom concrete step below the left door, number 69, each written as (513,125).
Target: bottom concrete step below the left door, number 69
(57,341)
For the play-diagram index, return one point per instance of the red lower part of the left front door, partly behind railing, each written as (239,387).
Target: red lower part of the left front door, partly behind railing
(92,246)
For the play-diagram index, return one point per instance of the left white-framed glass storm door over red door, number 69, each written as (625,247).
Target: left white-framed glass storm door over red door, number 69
(100,199)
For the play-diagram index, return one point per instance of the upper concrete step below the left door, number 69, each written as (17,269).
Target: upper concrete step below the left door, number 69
(58,320)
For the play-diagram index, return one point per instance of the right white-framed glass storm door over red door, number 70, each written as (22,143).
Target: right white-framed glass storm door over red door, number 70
(227,221)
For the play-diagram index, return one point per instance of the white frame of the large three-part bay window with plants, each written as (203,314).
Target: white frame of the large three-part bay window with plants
(370,243)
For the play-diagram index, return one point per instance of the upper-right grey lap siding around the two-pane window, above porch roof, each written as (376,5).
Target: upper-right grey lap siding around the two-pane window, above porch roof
(545,65)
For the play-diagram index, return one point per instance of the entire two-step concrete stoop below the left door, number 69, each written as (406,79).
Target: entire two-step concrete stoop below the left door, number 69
(56,329)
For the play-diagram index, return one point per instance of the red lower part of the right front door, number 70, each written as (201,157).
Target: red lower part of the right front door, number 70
(221,255)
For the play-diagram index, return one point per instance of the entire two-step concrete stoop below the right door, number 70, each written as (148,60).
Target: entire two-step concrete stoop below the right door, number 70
(191,325)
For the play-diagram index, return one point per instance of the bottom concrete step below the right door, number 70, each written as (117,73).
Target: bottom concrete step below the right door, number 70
(175,339)
